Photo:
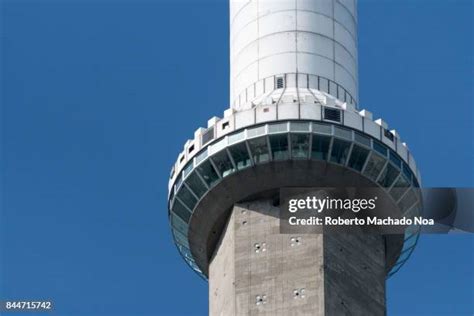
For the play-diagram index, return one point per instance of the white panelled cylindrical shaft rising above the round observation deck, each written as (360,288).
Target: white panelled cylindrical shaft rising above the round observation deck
(271,39)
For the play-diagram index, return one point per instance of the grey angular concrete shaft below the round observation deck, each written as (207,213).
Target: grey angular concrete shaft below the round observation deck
(255,270)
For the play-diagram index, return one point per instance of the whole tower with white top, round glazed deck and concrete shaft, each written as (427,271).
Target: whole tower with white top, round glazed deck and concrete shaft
(293,121)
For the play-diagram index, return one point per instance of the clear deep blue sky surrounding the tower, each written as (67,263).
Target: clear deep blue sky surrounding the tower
(98,98)
